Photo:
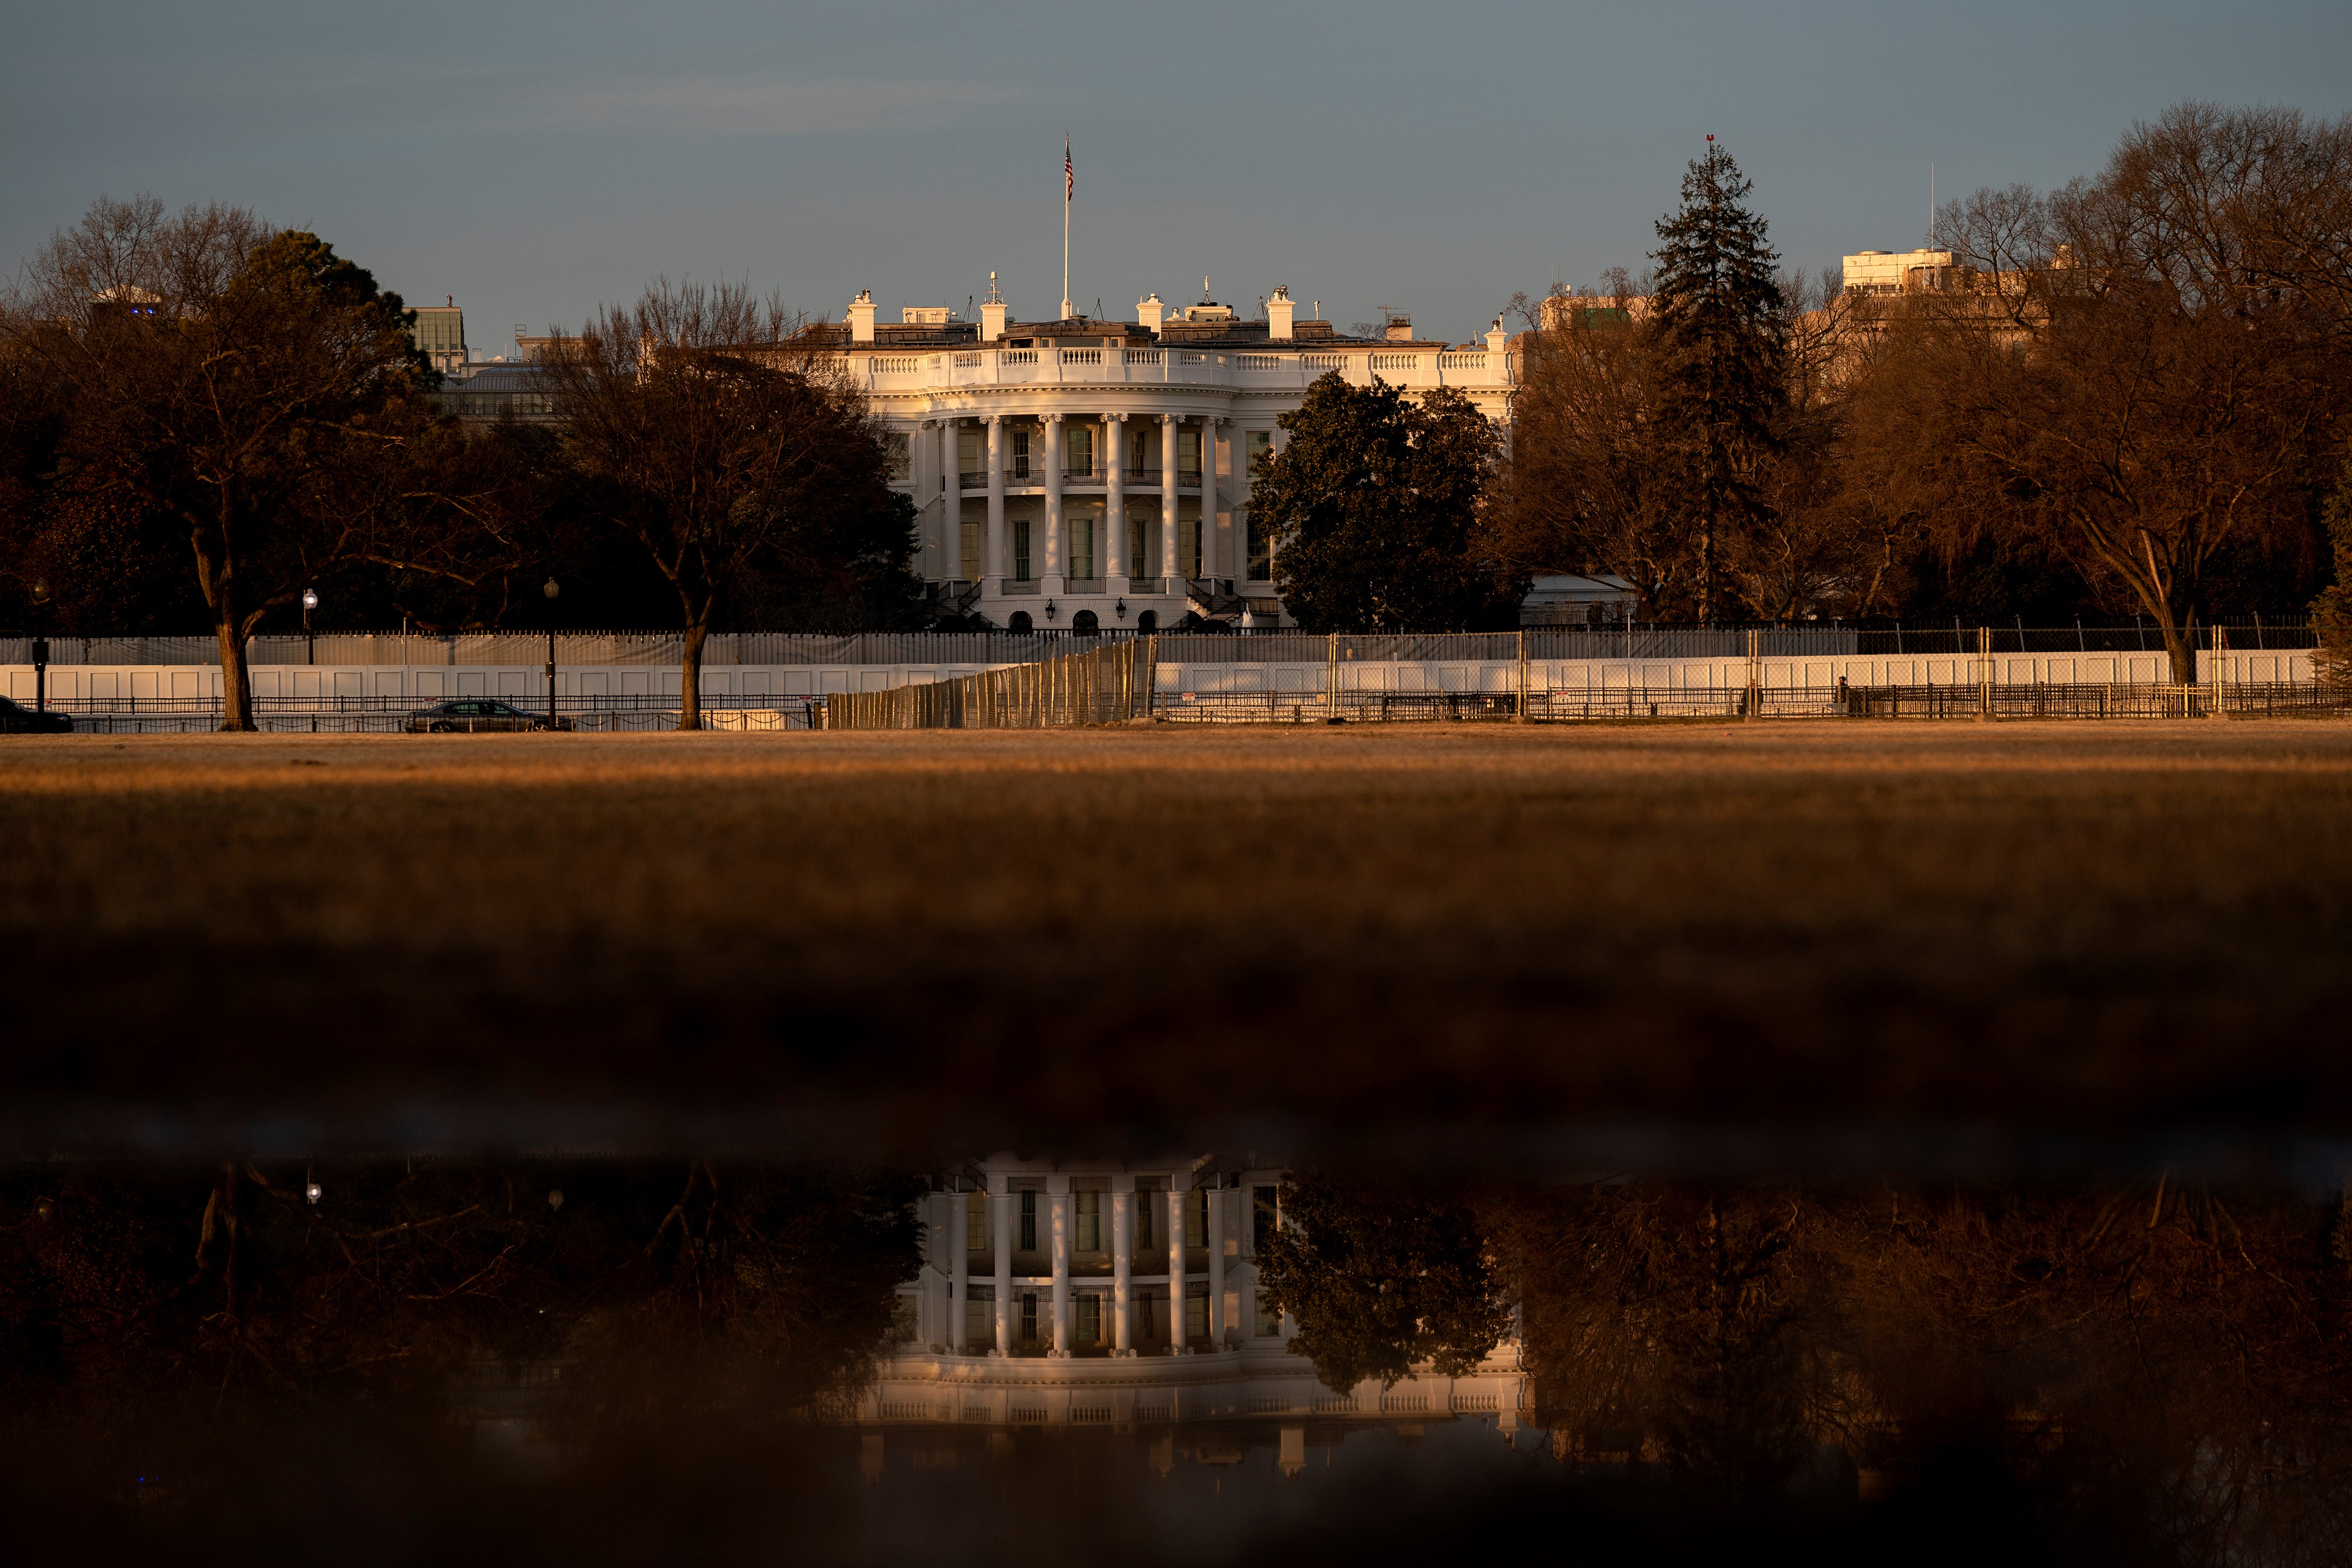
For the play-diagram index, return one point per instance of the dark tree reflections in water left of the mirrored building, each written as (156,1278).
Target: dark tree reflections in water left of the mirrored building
(135,1299)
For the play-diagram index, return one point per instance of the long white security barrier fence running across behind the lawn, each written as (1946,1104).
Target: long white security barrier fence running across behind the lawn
(780,681)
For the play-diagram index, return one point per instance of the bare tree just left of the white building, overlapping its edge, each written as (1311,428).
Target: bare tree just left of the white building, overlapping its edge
(723,441)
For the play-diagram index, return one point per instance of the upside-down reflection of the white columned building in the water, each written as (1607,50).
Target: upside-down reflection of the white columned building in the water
(1067,1294)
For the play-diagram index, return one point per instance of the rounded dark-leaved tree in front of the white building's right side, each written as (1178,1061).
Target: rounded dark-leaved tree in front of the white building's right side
(1377,514)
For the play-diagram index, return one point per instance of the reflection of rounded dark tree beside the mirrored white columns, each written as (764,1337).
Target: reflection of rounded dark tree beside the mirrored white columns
(1382,1282)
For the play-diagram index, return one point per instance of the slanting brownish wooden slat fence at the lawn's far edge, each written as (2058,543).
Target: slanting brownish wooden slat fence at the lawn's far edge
(1100,688)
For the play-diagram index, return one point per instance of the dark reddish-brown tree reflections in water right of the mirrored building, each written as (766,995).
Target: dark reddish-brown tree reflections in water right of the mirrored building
(2160,1369)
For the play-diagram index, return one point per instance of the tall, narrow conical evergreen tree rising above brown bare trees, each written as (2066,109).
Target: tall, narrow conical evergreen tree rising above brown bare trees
(1718,314)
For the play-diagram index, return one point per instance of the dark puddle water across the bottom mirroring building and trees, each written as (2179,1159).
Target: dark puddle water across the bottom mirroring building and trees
(1043,1360)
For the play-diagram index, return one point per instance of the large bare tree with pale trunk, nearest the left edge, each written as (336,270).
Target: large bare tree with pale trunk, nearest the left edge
(248,384)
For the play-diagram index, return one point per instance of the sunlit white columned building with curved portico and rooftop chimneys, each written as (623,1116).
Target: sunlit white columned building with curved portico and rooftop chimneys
(1090,474)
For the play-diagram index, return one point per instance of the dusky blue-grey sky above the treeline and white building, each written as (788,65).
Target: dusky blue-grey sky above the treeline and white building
(537,159)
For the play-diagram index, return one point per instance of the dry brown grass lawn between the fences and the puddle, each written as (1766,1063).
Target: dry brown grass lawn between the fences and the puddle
(1121,934)
